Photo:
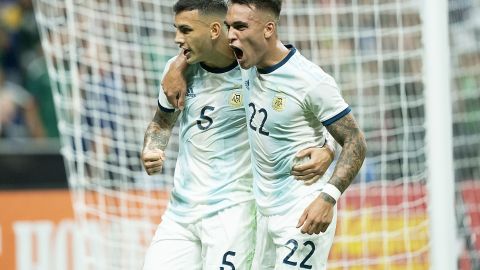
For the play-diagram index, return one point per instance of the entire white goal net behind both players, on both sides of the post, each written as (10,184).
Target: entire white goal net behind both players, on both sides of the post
(105,59)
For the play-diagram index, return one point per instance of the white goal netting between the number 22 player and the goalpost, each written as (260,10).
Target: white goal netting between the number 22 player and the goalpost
(374,50)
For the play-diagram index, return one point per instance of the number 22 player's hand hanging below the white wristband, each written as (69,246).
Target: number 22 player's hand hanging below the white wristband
(317,216)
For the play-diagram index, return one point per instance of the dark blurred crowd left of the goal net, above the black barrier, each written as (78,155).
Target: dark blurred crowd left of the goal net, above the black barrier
(26,102)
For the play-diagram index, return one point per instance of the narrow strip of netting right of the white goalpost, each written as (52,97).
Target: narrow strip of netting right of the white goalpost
(465,59)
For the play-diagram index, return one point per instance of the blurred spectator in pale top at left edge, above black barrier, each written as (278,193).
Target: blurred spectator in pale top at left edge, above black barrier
(18,112)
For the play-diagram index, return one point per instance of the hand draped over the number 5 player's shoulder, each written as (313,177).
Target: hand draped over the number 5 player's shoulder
(174,84)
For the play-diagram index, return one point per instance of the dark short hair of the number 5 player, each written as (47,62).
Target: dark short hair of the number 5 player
(204,7)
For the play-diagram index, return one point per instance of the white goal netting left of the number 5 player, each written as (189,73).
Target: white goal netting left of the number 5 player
(105,60)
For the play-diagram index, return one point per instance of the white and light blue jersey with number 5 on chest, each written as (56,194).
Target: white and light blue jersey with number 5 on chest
(213,169)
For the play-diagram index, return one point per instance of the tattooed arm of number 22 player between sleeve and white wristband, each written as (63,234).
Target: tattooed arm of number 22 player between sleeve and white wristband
(347,133)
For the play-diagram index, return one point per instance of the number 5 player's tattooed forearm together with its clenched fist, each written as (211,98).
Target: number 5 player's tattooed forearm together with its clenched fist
(156,140)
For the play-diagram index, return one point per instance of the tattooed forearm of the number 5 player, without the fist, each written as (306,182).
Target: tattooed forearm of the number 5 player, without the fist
(159,130)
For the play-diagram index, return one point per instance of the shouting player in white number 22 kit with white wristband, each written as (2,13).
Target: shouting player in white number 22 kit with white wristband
(290,102)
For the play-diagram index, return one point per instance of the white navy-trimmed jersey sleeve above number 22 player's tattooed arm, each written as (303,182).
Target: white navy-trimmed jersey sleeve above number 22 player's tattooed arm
(326,102)
